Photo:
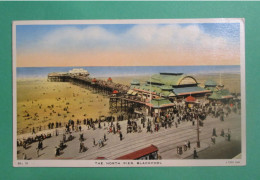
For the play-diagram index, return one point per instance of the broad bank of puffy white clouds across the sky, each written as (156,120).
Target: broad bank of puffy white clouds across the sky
(170,37)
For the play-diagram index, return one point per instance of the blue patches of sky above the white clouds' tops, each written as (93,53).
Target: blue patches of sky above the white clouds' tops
(29,33)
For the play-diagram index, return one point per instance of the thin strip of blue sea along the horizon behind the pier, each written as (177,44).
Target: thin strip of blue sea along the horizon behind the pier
(112,71)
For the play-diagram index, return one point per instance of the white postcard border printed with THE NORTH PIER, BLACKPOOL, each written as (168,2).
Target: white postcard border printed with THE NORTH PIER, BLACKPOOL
(133,163)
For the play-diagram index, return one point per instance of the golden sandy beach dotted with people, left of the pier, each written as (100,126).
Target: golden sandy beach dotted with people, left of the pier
(40,102)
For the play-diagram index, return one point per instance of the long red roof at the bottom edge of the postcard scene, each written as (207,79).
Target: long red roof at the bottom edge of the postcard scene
(139,153)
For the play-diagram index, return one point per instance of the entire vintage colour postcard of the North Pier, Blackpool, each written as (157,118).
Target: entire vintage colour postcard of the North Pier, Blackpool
(129,93)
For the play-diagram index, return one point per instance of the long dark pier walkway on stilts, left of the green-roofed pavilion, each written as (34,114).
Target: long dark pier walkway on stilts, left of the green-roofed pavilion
(119,101)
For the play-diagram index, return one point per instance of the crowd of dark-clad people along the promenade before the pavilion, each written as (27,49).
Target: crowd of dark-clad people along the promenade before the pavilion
(173,117)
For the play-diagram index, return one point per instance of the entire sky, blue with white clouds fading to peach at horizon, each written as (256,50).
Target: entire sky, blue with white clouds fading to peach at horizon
(134,44)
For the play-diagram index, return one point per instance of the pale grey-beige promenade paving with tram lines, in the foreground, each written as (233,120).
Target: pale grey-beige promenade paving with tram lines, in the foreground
(166,140)
